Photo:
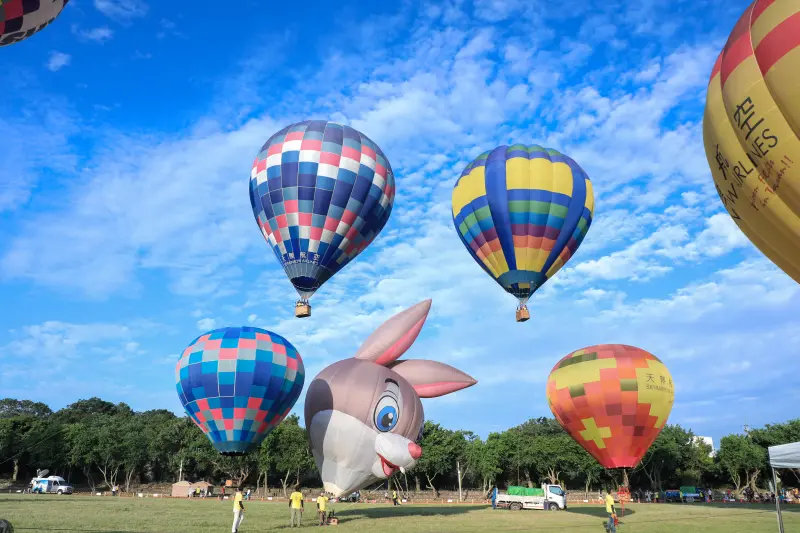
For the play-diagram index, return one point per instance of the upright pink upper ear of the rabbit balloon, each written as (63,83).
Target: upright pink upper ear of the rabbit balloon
(394,336)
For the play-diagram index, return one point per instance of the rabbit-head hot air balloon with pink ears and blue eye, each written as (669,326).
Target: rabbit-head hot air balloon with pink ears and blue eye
(364,413)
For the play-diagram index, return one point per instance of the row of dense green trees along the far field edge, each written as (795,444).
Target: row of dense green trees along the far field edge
(100,444)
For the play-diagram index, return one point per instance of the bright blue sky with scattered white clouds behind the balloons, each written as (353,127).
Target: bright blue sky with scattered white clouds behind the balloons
(126,229)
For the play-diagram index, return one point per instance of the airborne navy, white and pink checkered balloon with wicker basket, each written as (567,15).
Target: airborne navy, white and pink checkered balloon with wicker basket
(320,193)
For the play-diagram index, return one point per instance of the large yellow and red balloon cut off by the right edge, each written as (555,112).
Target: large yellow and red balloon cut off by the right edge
(751,127)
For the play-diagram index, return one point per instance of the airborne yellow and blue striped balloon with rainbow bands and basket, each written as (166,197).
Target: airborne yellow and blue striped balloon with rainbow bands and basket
(521,212)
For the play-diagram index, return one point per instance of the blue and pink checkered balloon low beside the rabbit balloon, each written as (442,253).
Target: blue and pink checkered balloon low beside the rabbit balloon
(237,384)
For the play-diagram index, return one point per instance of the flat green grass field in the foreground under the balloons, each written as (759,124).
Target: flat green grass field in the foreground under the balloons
(129,515)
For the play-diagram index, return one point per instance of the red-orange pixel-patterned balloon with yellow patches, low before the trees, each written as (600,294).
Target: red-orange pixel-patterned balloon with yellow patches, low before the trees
(613,400)
